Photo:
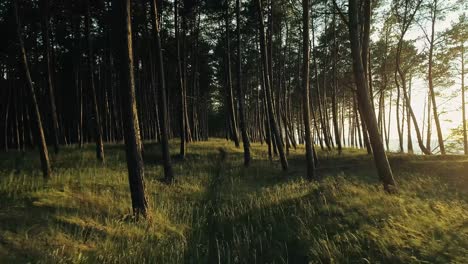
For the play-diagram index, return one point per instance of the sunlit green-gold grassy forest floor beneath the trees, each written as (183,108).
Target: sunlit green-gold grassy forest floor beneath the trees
(218,211)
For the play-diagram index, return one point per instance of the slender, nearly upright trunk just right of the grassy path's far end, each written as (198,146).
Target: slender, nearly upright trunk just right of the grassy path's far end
(240,94)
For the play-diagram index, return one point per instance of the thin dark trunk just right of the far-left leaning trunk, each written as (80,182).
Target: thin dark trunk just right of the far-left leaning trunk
(50,86)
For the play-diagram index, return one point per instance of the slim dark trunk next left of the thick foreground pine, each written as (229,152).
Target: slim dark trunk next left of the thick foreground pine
(94,105)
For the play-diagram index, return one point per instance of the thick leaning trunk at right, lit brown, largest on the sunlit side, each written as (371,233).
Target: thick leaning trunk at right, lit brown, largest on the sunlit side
(380,158)
